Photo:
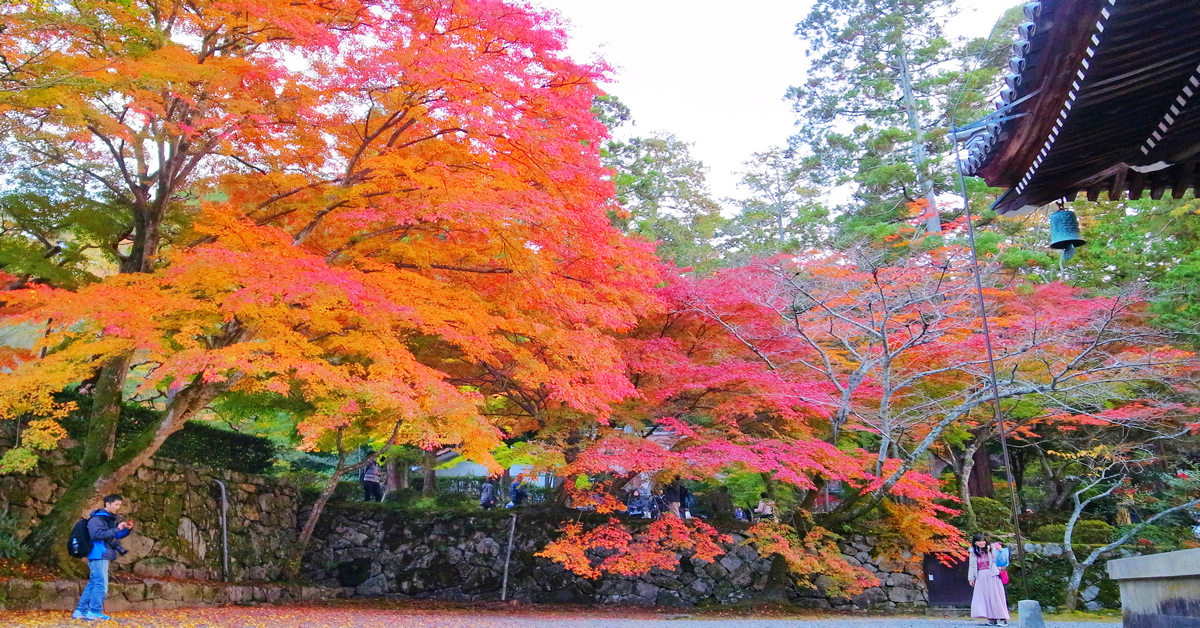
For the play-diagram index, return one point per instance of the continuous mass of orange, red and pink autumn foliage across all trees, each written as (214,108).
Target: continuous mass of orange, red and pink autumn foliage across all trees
(393,216)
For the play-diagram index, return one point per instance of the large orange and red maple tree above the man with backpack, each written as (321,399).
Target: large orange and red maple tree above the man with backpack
(386,202)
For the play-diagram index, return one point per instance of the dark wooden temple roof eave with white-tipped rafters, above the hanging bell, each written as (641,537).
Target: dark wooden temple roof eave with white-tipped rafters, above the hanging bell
(1102,97)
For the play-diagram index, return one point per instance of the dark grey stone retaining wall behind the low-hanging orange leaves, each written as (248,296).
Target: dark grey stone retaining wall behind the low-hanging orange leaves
(380,553)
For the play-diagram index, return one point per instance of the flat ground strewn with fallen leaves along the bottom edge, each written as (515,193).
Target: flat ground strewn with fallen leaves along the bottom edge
(494,618)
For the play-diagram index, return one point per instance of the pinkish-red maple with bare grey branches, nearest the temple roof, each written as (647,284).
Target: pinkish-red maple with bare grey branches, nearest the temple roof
(848,372)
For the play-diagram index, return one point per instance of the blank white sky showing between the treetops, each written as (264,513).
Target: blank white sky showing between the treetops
(713,73)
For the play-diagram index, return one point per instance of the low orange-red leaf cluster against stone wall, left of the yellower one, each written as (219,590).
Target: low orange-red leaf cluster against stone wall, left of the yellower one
(614,549)
